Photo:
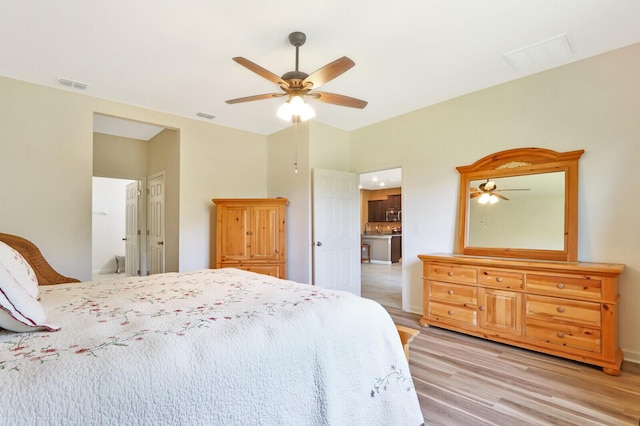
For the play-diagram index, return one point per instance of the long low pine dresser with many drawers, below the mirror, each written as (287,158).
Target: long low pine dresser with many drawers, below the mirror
(566,309)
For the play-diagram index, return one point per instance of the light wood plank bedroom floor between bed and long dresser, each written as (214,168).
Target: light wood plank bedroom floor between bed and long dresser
(464,380)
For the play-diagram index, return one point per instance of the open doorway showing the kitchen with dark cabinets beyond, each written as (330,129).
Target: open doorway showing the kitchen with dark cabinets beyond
(381,236)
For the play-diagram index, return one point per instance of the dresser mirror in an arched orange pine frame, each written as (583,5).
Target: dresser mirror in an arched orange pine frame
(520,203)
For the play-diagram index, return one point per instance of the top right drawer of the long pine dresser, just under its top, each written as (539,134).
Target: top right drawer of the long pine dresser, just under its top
(579,288)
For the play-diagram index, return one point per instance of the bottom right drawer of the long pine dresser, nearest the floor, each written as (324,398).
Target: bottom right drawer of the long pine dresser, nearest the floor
(565,335)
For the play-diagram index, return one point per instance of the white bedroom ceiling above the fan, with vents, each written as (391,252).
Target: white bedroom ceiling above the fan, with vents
(175,56)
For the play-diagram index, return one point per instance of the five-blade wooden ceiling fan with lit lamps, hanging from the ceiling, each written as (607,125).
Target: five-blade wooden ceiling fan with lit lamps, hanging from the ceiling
(297,85)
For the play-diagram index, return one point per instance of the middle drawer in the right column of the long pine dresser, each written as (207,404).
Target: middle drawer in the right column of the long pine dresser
(565,310)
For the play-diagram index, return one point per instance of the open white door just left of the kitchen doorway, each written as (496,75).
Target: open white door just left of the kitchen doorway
(336,230)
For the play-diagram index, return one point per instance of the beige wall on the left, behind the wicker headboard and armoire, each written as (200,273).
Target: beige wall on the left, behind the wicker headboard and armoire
(46,168)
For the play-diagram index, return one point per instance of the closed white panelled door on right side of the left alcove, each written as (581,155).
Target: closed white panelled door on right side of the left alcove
(155,223)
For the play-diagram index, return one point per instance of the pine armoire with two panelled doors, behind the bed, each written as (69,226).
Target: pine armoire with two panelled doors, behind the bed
(250,234)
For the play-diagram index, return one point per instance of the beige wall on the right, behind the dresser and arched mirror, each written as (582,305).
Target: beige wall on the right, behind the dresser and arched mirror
(592,105)
